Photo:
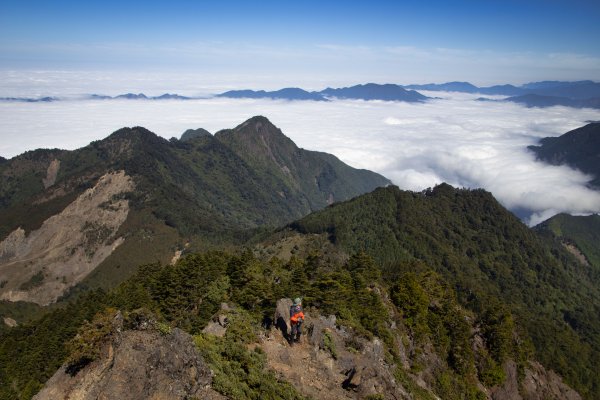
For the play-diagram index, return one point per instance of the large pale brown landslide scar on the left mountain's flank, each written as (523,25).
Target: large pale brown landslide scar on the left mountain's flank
(68,246)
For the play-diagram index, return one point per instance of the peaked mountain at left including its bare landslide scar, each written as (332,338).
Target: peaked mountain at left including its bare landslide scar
(135,197)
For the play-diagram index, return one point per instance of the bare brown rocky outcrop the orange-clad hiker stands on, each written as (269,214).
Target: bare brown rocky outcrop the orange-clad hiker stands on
(312,368)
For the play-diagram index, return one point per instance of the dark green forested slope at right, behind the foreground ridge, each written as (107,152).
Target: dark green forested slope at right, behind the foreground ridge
(485,254)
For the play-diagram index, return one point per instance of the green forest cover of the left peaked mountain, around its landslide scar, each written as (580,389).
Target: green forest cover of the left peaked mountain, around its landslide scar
(206,191)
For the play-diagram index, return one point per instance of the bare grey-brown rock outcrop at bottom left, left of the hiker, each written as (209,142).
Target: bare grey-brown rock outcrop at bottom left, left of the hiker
(138,365)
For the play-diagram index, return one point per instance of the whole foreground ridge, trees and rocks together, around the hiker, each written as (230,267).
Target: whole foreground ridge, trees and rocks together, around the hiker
(365,336)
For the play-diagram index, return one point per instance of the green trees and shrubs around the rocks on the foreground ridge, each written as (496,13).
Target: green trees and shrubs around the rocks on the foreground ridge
(189,293)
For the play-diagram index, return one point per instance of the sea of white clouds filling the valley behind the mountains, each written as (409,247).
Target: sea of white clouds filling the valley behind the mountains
(454,139)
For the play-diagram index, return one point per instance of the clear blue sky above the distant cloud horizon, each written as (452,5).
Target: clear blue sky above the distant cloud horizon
(309,43)
